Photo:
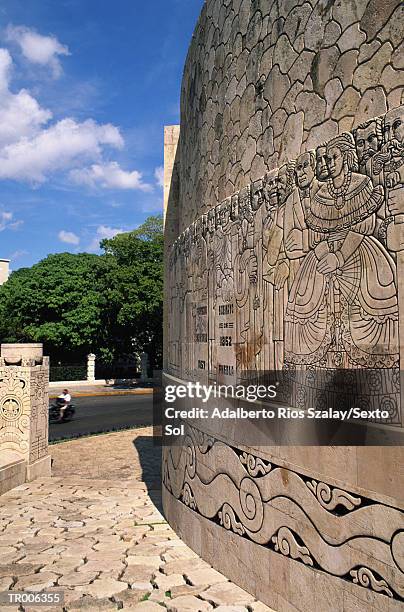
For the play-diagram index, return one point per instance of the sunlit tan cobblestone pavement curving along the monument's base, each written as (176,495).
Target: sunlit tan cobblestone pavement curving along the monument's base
(102,539)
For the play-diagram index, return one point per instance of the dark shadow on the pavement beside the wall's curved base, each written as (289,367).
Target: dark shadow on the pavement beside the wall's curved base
(150,461)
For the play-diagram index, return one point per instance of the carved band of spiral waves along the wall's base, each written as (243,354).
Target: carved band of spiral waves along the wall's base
(260,508)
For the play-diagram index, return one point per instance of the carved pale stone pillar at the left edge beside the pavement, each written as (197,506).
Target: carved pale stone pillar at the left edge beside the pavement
(24,380)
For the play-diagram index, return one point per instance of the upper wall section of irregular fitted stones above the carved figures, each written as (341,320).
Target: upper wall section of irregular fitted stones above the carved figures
(265,80)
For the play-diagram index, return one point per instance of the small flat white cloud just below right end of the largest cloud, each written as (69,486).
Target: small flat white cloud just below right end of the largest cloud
(109,176)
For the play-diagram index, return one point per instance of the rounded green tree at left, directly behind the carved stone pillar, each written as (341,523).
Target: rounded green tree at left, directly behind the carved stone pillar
(58,301)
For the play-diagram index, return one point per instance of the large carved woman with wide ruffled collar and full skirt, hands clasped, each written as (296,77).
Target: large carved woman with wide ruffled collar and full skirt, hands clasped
(342,308)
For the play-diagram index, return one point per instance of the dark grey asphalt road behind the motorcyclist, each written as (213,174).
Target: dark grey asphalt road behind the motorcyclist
(98,414)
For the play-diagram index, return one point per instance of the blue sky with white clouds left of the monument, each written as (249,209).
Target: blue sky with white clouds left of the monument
(86,87)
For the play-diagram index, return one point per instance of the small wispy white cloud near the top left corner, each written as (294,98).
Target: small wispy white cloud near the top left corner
(38,49)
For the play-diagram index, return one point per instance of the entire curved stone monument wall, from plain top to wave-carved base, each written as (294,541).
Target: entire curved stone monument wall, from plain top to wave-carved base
(285,251)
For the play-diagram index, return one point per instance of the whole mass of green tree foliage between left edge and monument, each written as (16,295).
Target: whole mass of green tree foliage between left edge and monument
(109,304)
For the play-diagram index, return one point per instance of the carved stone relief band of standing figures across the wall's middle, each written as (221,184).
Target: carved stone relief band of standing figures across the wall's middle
(298,269)
